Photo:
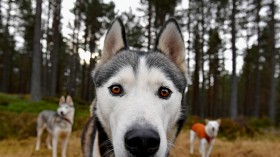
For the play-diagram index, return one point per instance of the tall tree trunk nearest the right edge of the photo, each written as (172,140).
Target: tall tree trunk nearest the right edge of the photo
(272,89)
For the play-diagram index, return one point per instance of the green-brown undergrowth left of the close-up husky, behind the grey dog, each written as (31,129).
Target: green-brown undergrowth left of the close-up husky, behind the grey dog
(18,115)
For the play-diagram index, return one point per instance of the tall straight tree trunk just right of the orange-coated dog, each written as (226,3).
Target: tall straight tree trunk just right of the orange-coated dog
(233,94)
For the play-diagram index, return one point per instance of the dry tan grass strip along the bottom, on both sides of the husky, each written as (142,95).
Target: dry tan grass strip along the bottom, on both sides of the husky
(261,147)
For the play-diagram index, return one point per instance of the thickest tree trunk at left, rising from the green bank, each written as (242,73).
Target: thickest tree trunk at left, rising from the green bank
(36,57)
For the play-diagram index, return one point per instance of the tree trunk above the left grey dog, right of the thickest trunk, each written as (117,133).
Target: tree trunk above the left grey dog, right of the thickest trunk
(55,50)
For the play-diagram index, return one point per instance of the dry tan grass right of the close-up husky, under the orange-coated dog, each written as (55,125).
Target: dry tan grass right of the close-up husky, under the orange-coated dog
(262,146)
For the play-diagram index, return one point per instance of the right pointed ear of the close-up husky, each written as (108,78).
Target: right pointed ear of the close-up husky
(170,42)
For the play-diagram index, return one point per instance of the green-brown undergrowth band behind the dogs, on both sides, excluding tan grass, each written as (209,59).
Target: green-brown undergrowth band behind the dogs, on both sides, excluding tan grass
(18,119)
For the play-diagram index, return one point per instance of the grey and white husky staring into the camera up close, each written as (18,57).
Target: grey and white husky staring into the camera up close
(139,106)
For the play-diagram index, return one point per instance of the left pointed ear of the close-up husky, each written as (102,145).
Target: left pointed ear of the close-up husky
(115,40)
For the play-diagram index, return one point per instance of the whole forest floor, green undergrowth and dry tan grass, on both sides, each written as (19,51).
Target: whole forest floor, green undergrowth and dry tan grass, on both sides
(18,120)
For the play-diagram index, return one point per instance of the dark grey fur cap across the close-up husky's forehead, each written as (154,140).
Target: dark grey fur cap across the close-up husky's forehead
(154,60)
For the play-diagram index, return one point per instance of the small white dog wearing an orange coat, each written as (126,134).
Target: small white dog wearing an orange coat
(207,134)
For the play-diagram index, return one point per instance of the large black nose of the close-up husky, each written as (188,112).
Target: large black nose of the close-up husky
(142,142)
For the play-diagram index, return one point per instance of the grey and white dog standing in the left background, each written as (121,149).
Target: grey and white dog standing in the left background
(58,124)
